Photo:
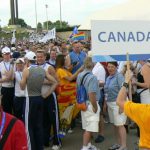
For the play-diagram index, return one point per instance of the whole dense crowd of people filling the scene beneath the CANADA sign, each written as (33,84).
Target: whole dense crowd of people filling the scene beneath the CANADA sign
(32,75)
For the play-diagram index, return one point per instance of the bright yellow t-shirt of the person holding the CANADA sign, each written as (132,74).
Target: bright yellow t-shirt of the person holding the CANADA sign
(140,113)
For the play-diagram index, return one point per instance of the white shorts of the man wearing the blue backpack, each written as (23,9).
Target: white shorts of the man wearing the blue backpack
(90,120)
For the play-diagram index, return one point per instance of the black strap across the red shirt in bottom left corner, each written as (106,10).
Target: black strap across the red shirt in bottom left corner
(7,131)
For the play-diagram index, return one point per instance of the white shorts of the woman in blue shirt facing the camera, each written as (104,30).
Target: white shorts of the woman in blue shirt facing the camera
(114,116)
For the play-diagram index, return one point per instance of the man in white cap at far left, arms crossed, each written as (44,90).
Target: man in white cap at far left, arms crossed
(7,90)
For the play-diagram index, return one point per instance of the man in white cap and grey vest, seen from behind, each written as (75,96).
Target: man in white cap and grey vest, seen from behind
(33,78)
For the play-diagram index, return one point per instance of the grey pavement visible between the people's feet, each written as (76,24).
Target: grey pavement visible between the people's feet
(73,141)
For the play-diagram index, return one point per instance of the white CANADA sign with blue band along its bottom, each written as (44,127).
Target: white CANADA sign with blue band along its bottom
(112,40)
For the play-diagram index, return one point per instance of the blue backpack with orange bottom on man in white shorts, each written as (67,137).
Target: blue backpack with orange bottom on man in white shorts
(82,95)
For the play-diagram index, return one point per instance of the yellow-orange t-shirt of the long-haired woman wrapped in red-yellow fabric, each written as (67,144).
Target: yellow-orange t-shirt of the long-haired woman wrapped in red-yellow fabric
(62,73)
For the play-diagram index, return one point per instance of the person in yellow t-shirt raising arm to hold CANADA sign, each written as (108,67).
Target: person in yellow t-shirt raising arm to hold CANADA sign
(139,113)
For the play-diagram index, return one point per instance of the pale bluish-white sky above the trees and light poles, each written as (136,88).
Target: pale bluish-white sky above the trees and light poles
(72,11)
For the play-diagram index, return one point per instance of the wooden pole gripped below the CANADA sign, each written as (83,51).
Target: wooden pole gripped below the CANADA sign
(128,69)
